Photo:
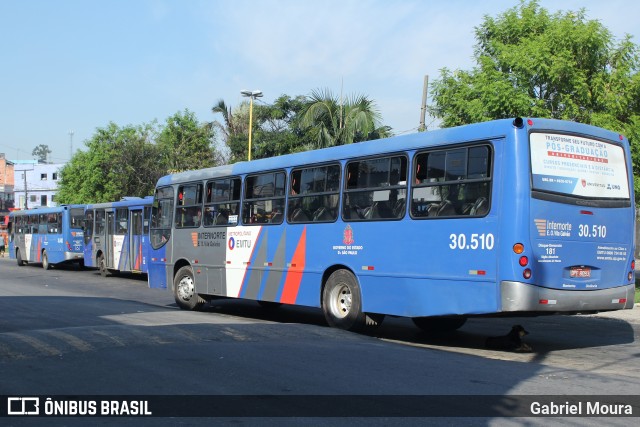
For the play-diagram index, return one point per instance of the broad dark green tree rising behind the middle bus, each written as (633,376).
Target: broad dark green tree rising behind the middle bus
(118,162)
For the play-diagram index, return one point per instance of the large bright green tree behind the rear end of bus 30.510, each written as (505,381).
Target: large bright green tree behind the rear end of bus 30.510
(533,63)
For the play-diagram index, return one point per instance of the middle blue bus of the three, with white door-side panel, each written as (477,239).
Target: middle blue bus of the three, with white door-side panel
(116,235)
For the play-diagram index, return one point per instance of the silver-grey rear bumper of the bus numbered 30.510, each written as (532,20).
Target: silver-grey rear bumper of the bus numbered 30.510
(518,296)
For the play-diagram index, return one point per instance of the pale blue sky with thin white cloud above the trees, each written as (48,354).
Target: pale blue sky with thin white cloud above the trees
(69,67)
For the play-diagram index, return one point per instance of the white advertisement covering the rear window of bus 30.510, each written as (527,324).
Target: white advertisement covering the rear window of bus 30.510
(578,166)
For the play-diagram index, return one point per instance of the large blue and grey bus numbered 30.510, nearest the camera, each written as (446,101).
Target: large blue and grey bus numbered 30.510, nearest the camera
(508,217)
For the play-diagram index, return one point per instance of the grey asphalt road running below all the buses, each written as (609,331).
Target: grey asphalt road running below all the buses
(69,332)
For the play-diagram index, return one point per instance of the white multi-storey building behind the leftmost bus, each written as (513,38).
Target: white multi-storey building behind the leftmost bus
(35,183)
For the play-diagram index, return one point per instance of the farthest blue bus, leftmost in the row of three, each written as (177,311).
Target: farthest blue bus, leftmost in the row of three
(47,235)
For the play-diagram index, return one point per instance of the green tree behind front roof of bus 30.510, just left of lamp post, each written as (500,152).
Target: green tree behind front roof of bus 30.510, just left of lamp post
(186,144)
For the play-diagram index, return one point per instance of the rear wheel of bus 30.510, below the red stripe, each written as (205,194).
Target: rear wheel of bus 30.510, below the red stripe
(342,301)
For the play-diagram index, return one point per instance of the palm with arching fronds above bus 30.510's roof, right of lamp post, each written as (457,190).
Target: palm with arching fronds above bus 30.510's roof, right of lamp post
(338,123)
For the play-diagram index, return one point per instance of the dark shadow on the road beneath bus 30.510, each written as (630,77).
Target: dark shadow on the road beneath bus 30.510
(546,333)
